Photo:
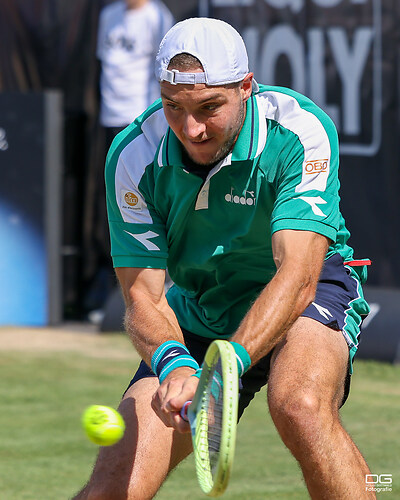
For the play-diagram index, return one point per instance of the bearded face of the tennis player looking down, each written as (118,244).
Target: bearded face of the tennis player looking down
(206,120)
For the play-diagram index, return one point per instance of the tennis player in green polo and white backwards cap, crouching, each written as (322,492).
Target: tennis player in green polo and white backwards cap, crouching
(234,187)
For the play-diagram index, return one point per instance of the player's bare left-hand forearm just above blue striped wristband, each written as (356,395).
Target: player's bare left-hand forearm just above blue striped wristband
(149,324)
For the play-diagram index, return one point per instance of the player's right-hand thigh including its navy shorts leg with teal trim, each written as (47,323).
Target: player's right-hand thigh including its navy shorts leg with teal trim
(314,360)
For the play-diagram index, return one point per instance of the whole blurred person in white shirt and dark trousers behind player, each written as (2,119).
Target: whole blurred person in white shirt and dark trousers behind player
(129,34)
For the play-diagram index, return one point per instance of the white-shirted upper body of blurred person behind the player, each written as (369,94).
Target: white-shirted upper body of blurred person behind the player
(130,32)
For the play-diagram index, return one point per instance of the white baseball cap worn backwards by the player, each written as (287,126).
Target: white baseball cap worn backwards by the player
(215,43)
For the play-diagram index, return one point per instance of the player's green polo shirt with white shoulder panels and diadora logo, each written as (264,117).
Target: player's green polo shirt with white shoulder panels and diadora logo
(215,235)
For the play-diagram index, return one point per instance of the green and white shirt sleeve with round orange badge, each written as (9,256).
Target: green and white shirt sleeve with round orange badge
(137,232)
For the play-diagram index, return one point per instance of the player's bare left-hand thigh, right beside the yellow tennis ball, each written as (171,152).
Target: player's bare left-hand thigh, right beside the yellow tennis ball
(137,465)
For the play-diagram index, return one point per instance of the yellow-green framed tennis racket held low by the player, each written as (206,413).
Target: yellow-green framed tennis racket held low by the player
(213,418)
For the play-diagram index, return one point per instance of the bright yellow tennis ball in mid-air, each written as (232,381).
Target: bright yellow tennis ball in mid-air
(103,425)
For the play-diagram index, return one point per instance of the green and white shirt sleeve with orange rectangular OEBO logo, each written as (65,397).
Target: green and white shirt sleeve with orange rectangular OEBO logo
(307,187)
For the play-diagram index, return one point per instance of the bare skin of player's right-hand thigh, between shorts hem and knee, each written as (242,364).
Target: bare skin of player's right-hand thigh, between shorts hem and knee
(309,367)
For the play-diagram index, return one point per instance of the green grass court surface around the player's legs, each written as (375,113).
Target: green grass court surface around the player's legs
(45,456)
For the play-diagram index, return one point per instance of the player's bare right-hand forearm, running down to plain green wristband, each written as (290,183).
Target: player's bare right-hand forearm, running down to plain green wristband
(274,311)
